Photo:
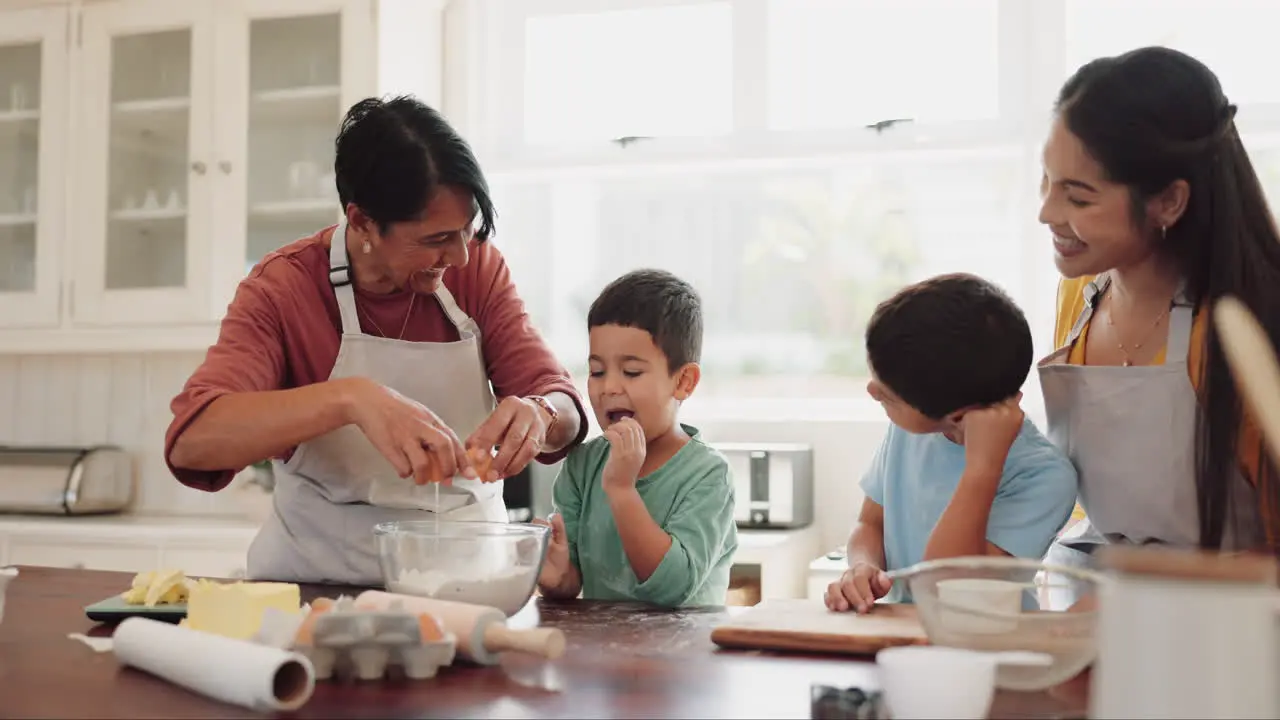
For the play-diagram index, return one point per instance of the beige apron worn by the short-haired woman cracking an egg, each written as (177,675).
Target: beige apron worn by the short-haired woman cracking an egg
(335,489)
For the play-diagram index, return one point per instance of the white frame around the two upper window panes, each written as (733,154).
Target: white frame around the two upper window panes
(502,98)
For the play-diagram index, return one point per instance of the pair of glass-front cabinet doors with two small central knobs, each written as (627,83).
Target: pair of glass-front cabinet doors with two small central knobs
(208,143)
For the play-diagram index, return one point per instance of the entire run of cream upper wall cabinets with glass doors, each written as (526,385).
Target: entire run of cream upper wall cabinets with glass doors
(164,147)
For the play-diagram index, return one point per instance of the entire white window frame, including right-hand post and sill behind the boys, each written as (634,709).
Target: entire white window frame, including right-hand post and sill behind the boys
(484,86)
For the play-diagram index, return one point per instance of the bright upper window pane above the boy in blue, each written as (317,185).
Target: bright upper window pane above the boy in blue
(845,63)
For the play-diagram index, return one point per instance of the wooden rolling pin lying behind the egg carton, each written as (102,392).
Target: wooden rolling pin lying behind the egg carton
(482,631)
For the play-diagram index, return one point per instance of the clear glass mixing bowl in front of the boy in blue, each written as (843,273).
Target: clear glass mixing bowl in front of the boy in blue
(1009,604)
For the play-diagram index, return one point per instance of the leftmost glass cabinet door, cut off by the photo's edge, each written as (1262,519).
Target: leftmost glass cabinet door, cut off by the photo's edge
(33,97)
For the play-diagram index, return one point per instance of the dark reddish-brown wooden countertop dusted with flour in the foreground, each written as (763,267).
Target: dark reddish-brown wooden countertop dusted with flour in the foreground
(623,660)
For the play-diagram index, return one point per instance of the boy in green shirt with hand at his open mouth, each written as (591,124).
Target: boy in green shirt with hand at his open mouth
(646,512)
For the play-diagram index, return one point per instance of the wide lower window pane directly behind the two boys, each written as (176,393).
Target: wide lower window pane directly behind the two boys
(790,261)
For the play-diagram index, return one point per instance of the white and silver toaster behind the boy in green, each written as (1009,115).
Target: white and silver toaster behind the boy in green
(774,484)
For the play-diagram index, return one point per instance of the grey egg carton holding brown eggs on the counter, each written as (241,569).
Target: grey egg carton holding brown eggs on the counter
(367,645)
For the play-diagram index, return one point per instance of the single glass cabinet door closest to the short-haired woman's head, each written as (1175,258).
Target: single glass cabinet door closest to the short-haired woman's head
(296,76)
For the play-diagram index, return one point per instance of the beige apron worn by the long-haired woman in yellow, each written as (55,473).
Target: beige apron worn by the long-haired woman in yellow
(1131,434)
